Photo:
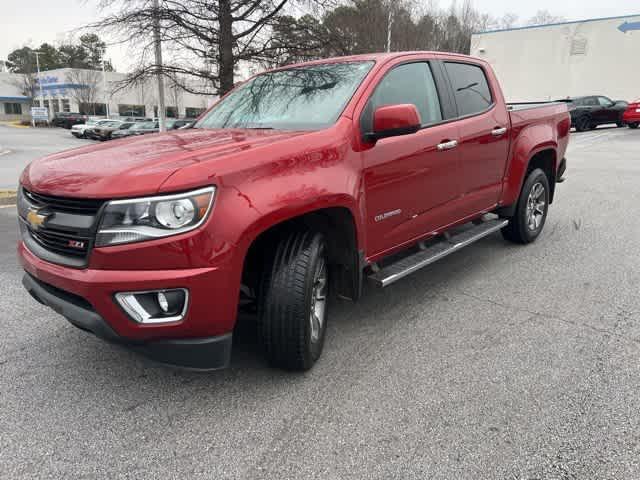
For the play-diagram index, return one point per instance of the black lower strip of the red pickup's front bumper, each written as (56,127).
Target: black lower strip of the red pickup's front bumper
(200,353)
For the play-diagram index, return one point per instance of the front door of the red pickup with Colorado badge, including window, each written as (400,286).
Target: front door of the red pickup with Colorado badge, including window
(409,180)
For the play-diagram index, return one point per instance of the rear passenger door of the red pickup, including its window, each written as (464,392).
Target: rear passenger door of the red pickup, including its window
(483,122)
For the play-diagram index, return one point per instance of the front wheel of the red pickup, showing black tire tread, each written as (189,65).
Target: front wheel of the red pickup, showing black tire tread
(286,328)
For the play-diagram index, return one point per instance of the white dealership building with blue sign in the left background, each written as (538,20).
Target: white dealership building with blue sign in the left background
(93,93)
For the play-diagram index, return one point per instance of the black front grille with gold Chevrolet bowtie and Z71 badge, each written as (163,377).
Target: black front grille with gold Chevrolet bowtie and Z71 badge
(67,235)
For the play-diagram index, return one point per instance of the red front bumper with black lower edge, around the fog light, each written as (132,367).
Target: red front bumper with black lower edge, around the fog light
(86,297)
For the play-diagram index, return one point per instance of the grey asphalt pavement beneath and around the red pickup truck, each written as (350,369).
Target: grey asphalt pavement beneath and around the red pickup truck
(499,362)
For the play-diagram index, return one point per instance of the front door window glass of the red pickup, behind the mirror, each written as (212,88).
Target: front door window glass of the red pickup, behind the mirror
(409,83)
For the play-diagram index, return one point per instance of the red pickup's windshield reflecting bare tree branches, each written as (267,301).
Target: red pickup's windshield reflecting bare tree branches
(303,98)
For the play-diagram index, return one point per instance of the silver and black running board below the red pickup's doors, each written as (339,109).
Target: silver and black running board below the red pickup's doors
(407,265)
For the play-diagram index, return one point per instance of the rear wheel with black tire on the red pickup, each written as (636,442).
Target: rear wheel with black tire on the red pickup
(519,229)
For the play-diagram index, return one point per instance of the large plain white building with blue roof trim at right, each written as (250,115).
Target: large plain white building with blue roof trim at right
(549,62)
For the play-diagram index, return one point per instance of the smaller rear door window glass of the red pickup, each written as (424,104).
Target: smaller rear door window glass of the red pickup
(470,87)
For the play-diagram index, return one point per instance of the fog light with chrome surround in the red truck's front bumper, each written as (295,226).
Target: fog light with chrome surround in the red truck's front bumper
(155,306)
